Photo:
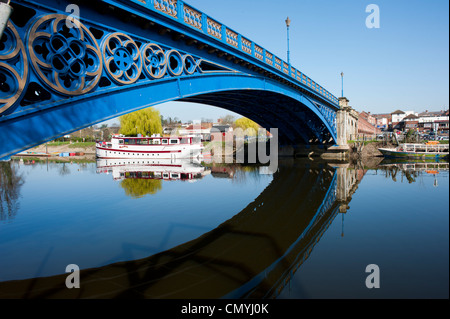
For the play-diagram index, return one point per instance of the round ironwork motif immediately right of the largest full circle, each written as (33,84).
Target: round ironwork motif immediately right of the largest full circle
(122,58)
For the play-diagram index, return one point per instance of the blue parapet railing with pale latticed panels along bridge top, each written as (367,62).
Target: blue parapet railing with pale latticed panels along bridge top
(201,22)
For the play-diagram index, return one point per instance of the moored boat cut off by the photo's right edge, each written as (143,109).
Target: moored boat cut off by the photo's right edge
(417,151)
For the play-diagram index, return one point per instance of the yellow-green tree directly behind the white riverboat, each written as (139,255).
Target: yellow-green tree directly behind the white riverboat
(145,122)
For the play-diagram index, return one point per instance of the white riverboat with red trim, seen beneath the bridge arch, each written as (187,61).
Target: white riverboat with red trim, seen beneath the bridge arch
(154,147)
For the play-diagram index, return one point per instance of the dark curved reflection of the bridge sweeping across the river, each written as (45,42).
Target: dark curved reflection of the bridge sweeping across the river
(252,255)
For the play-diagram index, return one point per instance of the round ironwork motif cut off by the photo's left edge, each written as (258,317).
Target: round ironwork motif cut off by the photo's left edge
(13,68)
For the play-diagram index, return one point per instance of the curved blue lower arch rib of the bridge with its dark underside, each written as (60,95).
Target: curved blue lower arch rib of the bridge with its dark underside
(218,89)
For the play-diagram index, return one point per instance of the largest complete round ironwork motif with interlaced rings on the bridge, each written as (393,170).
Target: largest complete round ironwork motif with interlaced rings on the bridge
(67,59)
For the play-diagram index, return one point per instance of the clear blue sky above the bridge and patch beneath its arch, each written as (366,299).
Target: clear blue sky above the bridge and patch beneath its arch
(402,65)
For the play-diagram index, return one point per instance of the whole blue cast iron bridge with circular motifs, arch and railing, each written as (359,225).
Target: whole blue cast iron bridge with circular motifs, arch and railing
(61,72)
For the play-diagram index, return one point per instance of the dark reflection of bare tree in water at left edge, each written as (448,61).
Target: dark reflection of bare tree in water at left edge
(10,183)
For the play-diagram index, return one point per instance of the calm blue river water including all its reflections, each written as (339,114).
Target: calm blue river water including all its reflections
(189,230)
